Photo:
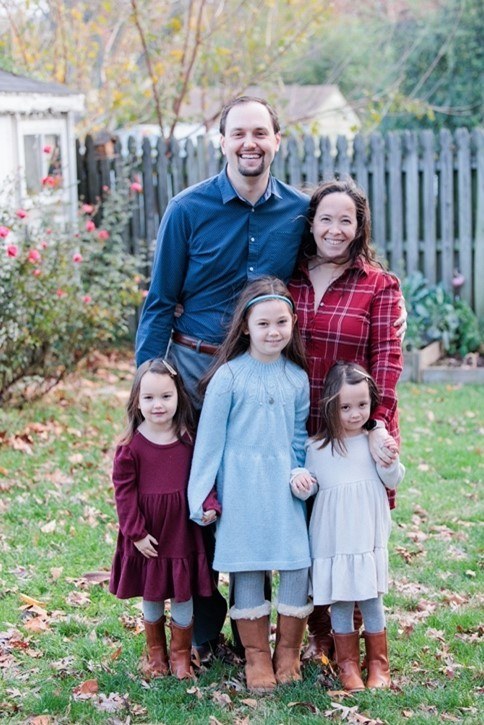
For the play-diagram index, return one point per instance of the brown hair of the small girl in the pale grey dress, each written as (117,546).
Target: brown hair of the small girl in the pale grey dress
(330,429)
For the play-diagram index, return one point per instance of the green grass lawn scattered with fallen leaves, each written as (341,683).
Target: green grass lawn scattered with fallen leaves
(69,651)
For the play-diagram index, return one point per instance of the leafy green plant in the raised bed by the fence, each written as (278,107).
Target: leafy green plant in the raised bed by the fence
(433,314)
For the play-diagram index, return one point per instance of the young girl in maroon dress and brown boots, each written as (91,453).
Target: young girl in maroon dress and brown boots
(160,553)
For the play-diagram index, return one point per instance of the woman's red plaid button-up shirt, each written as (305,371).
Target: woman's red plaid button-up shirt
(354,323)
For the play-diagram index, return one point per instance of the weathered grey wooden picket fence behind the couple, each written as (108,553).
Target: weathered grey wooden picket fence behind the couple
(426,191)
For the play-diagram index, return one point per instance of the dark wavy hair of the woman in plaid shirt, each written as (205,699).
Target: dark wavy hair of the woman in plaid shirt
(361,246)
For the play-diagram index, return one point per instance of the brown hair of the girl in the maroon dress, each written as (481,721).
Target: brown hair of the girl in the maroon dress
(184,418)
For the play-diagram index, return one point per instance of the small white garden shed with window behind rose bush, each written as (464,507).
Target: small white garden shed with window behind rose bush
(38,152)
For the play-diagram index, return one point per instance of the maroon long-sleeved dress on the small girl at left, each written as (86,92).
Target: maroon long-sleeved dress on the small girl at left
(150,482)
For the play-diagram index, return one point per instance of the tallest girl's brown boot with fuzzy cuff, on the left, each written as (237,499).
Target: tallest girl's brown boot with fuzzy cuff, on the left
(254,634)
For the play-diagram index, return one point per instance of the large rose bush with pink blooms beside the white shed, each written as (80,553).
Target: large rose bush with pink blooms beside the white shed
(64,292)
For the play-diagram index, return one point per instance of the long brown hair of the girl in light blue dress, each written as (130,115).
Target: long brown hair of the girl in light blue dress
(237,340)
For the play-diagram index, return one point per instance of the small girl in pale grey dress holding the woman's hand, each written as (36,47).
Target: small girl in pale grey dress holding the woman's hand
(350,521)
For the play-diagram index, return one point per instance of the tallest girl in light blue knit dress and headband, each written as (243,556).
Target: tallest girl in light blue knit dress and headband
(250,436)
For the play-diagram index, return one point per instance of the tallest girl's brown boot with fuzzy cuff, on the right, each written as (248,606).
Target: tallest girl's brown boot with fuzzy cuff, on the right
(286,660)
